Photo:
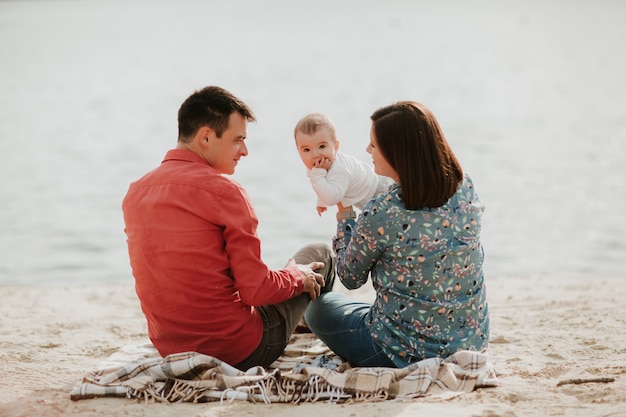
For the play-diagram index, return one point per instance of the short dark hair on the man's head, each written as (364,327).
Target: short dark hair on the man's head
(211,106)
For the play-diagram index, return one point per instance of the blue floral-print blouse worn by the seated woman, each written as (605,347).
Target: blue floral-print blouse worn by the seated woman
(426,268)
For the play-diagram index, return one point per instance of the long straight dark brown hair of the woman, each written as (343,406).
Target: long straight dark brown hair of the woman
(410,139)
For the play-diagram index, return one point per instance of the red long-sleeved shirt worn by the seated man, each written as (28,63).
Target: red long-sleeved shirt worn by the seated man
(196,259)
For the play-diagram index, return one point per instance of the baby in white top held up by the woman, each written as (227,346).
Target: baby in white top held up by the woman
(335,176)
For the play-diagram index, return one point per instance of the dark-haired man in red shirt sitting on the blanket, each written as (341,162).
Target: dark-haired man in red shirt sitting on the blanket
(195,253)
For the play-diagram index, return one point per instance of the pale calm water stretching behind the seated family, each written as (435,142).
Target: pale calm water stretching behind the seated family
(531,95)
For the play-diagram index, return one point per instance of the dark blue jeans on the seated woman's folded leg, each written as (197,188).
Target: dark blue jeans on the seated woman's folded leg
(339,322)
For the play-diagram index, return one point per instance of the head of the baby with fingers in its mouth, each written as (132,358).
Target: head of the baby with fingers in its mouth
(315,138)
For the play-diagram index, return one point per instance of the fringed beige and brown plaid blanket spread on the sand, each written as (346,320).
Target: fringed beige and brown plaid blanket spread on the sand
(307,371)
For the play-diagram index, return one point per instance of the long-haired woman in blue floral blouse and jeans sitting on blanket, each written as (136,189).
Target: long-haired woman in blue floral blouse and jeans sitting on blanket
(419,242)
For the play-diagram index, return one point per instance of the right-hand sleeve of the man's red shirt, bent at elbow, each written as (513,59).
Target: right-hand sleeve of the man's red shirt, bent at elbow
(256,283)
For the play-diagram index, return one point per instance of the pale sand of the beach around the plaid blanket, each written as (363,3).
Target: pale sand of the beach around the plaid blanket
(547,332)
